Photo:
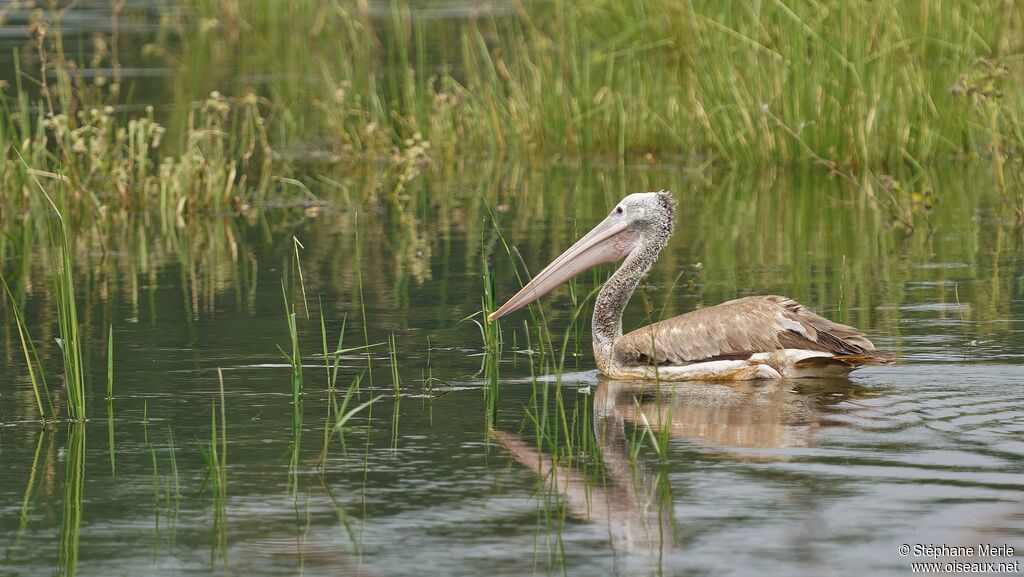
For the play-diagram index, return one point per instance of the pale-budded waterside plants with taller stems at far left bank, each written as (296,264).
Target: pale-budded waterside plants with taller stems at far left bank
(70,134)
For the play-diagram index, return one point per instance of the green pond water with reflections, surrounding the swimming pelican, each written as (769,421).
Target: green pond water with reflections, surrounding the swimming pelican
(459,470)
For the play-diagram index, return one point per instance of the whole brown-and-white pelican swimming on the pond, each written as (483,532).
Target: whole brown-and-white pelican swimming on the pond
(755,338)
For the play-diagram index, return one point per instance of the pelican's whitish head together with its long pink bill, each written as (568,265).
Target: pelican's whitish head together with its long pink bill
(642,221)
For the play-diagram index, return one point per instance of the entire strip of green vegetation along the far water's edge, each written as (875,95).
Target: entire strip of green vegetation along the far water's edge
(859,88)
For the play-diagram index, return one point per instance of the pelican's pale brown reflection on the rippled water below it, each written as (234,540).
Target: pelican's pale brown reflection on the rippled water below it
(633,506)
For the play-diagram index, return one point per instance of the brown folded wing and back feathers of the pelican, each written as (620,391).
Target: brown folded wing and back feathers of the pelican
(738,329)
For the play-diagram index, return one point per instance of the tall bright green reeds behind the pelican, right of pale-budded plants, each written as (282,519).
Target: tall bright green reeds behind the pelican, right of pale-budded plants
(858,85)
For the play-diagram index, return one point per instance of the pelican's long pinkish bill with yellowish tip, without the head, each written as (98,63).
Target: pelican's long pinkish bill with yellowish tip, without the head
(609,242)
